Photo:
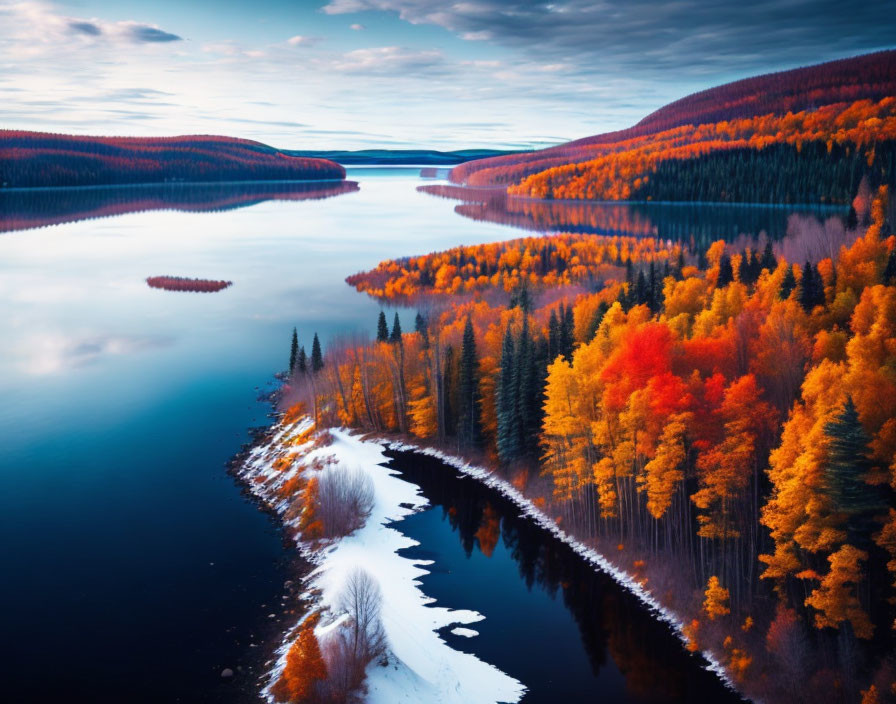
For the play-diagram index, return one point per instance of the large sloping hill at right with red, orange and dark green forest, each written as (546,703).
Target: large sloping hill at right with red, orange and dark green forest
(806,135)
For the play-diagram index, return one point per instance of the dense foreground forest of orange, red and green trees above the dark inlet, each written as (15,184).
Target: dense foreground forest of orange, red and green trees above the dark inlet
(724,426)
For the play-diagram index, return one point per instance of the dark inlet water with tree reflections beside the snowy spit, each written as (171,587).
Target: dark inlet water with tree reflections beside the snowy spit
(567,632)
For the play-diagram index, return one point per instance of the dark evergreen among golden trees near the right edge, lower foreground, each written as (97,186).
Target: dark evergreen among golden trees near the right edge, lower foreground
(845,475)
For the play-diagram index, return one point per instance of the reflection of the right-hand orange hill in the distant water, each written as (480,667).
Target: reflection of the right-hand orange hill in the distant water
(697,224)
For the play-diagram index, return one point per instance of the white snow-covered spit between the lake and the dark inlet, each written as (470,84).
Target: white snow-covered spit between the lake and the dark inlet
(421,666)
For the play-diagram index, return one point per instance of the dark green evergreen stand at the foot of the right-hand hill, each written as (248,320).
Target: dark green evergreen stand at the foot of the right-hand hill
(811,172)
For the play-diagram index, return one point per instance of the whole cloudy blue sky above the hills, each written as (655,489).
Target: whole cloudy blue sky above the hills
(355,74)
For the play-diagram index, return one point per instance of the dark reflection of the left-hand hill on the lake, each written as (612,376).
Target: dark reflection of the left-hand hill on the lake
(28,208)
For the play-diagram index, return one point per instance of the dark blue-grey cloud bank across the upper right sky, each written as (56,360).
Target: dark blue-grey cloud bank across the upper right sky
(693,37)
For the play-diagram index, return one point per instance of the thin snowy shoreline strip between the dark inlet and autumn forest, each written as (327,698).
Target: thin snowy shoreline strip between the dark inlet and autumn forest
(592,556)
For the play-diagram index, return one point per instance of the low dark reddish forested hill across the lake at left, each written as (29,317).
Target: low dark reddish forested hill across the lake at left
(35,159)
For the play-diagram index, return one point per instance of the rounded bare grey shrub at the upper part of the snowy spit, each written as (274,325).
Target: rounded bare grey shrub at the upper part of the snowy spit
(345,499)
